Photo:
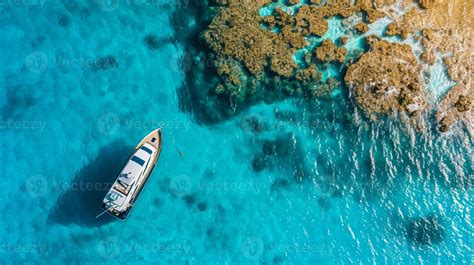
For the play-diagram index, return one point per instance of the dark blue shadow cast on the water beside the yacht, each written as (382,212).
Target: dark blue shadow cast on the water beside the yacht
(81,202)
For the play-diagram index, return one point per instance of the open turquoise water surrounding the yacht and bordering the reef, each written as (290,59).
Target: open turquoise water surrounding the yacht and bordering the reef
(288,182)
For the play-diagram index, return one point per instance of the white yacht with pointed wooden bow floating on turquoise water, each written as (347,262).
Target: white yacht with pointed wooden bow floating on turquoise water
(121,198)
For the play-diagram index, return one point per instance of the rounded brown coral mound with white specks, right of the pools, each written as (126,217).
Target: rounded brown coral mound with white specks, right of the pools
(386,80)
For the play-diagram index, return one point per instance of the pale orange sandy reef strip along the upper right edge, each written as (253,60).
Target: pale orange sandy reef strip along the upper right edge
(443,28)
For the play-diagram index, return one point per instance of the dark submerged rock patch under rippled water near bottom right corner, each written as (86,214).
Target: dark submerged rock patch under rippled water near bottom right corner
(426,230)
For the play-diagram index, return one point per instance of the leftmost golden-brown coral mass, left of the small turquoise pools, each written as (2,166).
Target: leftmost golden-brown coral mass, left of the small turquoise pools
(236,34)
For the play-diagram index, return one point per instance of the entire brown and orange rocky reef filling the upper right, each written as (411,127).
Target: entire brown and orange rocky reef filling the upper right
(251,52)
